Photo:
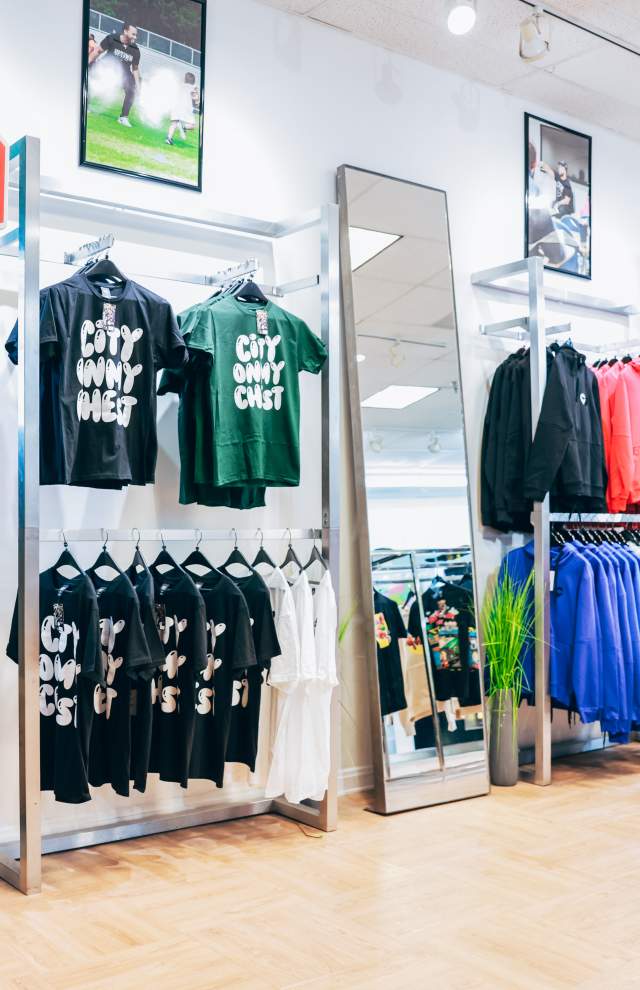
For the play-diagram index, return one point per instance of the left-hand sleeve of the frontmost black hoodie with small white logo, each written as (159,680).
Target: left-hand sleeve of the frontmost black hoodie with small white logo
(554,431)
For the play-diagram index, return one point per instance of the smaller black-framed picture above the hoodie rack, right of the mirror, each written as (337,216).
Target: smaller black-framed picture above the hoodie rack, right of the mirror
(558,209)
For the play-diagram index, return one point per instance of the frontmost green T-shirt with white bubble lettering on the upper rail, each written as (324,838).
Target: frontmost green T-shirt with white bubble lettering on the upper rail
(255,353)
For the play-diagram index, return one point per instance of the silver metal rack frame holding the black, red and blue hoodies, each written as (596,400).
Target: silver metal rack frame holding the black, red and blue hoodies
(532,327)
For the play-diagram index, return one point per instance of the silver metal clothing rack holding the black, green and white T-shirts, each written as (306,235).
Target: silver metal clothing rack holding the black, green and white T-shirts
(22,867)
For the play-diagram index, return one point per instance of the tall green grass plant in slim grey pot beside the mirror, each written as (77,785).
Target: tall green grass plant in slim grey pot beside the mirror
(507,625)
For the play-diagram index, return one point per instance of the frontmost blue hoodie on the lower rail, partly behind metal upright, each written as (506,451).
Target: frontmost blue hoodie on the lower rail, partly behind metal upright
(575,680)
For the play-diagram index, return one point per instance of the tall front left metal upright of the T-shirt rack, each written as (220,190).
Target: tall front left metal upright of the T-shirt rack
(28,150)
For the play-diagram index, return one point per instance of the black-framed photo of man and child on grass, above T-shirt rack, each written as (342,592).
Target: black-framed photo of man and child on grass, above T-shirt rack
(143,88)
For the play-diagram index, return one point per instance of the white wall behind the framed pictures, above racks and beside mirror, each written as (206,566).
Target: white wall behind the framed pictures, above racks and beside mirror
(286,102)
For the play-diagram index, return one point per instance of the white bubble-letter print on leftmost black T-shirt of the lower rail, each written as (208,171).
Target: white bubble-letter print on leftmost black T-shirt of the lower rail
(58,674)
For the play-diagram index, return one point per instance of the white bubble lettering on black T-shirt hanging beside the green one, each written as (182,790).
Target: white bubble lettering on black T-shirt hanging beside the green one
(105,371)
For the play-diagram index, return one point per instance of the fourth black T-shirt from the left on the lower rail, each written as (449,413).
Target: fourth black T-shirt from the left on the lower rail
(181,620)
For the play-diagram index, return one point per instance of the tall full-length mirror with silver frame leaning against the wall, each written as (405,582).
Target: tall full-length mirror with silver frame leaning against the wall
(412,490)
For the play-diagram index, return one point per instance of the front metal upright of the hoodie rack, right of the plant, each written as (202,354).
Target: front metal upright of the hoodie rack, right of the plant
(538,356)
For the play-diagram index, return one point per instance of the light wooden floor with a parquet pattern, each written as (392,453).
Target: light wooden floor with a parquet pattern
(527,888)
